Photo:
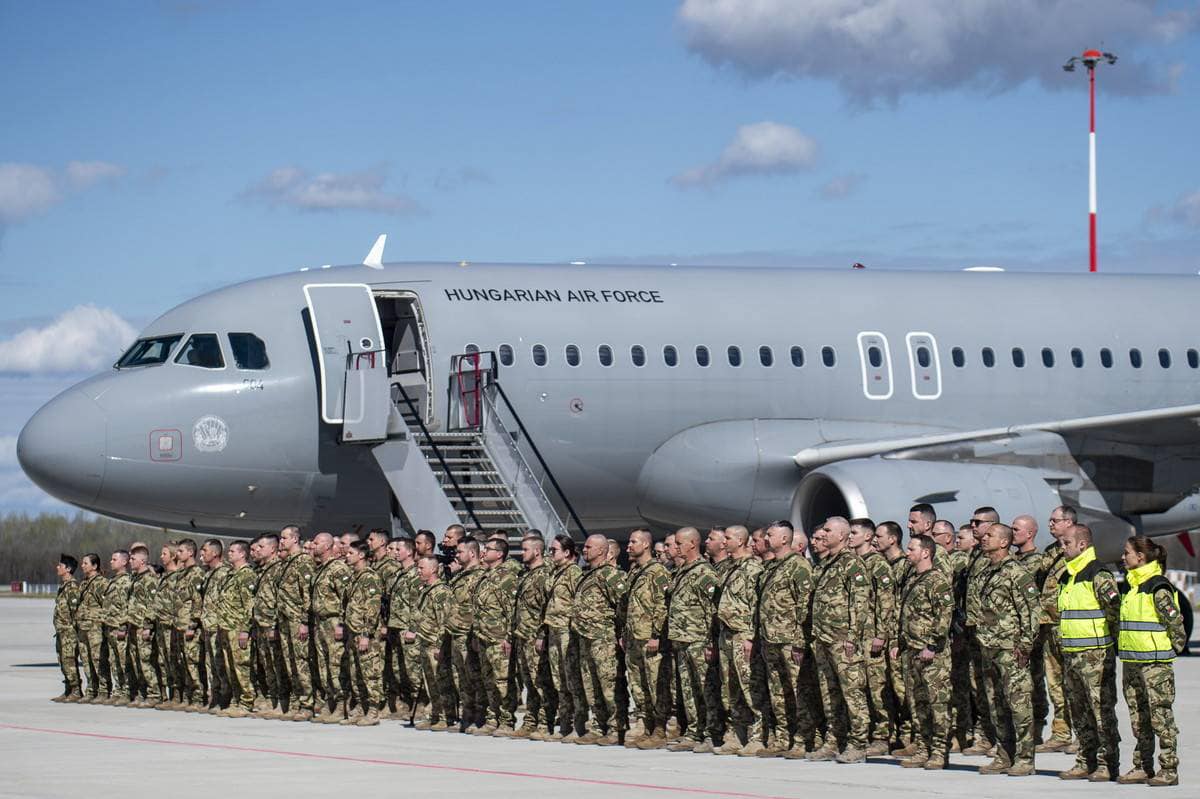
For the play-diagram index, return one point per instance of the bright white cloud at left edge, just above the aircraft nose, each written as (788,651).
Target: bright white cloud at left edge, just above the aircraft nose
(83,339)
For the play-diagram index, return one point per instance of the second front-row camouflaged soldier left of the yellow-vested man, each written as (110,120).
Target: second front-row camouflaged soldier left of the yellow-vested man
(922,629)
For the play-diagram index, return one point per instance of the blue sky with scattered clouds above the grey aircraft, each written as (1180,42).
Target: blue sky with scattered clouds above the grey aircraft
(152,152)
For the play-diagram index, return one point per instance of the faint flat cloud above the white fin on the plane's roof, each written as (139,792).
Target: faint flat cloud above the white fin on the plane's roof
(362,191)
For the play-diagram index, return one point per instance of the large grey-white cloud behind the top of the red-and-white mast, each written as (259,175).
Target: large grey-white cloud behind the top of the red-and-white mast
(889,49)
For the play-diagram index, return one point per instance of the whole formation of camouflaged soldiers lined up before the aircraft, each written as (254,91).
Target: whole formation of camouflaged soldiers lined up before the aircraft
(740,644)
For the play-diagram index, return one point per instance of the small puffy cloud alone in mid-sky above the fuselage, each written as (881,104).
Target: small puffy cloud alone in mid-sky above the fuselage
(758,149)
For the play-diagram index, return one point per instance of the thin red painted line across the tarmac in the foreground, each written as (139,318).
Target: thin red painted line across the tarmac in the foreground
(374,761)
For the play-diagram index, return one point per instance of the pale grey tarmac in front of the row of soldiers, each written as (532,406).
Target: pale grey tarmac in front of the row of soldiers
(61,750)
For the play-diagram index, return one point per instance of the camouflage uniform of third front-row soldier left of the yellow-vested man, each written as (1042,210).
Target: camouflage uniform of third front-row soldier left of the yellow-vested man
(842,610)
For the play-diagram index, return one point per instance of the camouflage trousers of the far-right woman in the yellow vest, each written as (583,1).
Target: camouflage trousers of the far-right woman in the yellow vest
(1150,694)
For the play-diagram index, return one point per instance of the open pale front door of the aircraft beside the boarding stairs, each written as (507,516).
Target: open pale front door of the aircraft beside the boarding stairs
(352,361)
